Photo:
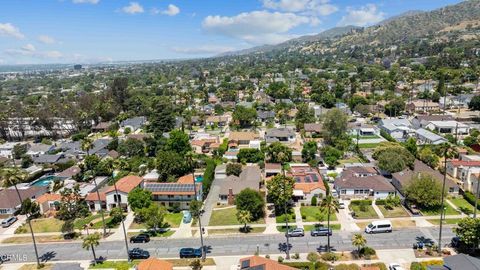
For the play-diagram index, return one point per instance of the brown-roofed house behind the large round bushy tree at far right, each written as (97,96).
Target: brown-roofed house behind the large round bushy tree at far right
(402,178)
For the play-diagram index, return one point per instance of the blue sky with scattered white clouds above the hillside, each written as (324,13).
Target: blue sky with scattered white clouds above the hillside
(89,31)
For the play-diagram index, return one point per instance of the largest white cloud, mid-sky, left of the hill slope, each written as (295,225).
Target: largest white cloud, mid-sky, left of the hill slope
(256,27)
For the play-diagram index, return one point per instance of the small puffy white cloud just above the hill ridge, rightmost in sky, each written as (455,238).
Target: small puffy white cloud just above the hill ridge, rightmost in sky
(365,15)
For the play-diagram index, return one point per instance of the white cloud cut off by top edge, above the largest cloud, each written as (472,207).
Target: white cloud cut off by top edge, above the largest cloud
(313,7)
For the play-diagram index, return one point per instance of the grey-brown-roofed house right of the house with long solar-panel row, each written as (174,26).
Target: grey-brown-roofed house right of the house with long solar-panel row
(250,177)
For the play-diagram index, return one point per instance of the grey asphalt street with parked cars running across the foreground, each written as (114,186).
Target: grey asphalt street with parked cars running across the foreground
(223,245)
